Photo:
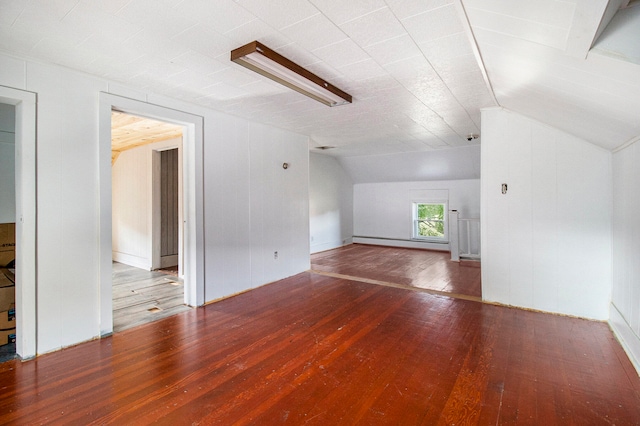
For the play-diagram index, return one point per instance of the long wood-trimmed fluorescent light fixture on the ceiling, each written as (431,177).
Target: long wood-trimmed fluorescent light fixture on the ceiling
(259,58)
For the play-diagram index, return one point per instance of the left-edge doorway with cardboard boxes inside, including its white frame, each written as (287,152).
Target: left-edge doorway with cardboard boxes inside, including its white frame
(18,205)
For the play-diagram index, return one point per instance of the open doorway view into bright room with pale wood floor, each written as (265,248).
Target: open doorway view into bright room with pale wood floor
(147,231)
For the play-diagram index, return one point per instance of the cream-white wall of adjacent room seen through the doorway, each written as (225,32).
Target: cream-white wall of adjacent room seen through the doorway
(132,189)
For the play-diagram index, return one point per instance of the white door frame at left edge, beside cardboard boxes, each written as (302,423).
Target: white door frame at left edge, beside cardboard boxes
(26,251)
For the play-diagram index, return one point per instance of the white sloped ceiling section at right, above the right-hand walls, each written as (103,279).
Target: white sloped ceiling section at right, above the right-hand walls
(530,54)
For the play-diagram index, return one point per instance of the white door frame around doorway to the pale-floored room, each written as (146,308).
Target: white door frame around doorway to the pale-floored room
(193,206)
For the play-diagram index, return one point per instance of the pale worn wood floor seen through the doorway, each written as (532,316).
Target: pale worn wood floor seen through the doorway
(141,296)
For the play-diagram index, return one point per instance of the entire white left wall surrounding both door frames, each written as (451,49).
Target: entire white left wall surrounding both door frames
(252,206)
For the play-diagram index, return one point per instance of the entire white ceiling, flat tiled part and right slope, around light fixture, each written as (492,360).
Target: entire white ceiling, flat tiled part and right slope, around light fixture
(419,70)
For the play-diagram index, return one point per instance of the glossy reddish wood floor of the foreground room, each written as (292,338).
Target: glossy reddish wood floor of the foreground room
(313,349)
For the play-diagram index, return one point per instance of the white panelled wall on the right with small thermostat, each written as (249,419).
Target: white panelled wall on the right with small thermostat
(546,244)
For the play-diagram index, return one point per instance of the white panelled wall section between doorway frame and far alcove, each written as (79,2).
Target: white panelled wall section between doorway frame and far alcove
(254,207)
